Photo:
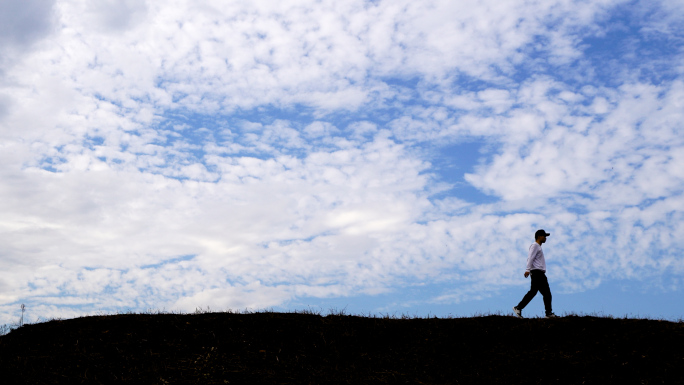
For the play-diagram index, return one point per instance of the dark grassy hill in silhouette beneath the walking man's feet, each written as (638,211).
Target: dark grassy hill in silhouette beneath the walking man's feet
(288,348)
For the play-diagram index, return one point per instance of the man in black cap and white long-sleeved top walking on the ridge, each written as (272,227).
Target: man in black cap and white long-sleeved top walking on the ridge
(536,266)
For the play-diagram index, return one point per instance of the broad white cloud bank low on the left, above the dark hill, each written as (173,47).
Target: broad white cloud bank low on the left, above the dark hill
(274,212)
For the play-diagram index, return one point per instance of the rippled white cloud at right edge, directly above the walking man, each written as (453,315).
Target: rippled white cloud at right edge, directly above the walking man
(622,158)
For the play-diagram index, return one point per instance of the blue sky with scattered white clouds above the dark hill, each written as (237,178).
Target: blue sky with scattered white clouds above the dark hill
(374,156)
